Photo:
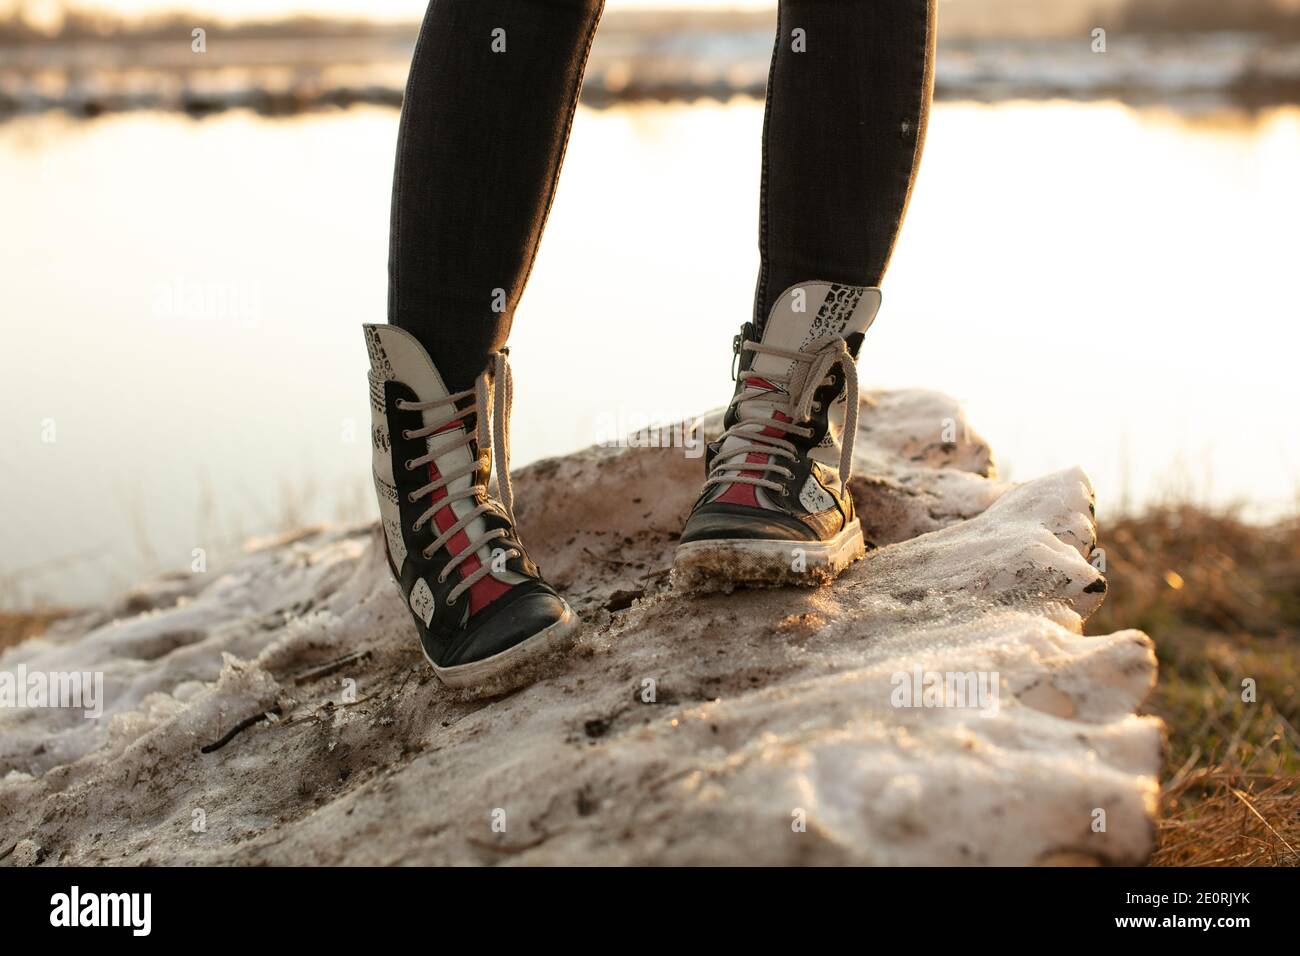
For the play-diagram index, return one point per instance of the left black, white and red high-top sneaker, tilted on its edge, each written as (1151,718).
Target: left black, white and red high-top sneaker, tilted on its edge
(479,602)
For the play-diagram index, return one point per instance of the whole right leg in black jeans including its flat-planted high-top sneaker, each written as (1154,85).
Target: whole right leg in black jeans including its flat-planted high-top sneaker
(847,109)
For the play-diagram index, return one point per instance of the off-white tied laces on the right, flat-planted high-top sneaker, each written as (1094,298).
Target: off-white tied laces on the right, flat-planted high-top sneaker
(809,373)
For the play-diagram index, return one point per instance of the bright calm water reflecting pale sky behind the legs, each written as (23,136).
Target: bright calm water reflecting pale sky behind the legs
(183,365)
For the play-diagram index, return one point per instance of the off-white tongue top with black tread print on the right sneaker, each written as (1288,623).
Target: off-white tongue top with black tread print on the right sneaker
(811,312)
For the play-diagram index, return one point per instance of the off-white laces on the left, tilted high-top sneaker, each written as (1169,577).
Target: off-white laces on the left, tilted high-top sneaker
(492,410)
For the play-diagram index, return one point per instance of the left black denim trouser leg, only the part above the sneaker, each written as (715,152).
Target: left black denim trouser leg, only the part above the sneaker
(488,110)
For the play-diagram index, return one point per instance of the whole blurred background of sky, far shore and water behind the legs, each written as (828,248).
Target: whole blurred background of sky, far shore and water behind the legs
(1099,258)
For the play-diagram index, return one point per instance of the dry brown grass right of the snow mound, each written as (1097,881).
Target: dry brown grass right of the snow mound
(1221,599)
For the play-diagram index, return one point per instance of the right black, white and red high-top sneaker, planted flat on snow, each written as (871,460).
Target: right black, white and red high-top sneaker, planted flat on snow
(777,507)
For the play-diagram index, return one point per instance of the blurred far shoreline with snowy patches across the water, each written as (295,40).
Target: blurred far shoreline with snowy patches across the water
(297,67)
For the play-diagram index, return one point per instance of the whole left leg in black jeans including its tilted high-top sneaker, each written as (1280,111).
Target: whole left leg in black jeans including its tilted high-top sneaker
(487,116)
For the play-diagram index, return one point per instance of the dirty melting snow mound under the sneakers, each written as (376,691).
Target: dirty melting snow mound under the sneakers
(938,704)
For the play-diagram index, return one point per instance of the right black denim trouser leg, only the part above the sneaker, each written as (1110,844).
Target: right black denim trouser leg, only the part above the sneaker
(847,109)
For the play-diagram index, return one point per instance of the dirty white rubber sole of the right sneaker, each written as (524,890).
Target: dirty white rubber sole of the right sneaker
(723,564)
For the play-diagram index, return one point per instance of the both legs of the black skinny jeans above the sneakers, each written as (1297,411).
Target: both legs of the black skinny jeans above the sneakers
(484,132)
